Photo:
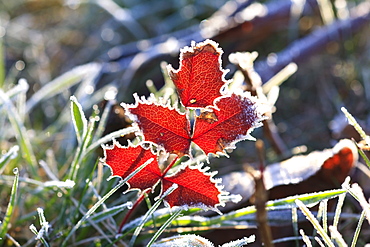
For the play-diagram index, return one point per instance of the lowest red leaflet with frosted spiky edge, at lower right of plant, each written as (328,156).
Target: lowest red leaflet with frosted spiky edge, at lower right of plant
(196,189)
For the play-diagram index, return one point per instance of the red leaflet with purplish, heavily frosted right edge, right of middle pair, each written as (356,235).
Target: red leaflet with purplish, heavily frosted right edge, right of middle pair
(234,119)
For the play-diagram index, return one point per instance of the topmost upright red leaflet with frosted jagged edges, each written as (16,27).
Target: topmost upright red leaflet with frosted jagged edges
(200,78)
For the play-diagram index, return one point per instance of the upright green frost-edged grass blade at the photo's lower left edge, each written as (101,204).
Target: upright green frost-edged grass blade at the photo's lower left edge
(11,206)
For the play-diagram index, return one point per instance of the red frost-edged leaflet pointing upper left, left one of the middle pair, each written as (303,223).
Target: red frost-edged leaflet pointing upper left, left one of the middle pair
(162,125)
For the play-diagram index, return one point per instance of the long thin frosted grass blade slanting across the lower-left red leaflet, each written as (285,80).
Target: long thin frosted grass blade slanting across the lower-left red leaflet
(102,200)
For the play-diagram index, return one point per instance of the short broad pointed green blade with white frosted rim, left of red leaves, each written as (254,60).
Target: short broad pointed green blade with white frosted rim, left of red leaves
(78,118)
